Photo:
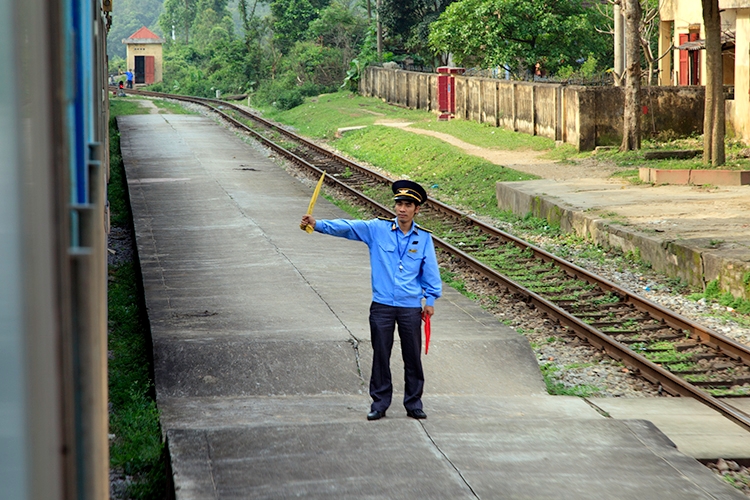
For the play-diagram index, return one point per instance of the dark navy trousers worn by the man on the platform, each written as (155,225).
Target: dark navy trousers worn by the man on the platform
(383,320)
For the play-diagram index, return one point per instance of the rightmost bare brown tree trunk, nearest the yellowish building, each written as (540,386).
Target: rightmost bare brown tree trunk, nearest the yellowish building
(713,115)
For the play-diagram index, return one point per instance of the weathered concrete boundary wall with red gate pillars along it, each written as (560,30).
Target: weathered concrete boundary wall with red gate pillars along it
(585,117)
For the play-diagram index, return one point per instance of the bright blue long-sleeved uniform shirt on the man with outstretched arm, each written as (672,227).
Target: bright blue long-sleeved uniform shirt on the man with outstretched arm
(403,266)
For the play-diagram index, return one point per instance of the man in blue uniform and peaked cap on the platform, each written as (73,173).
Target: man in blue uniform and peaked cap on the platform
(404,271)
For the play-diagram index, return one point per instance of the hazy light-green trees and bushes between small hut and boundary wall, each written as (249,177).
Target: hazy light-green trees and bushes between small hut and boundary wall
(301,47)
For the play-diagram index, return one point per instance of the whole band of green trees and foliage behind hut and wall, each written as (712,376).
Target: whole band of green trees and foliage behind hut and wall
(279,51)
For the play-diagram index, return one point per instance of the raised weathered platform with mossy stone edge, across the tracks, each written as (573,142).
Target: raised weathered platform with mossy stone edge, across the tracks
(697,233)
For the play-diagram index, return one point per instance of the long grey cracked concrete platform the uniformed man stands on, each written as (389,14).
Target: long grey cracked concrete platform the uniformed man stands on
(262,357)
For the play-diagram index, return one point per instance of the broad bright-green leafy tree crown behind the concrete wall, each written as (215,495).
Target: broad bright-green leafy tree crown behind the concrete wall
(518,34)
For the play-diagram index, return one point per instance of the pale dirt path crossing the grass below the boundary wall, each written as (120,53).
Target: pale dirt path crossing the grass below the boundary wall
(525,161)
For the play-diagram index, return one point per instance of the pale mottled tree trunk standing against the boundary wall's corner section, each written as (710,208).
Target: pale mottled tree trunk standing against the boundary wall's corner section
(631,130)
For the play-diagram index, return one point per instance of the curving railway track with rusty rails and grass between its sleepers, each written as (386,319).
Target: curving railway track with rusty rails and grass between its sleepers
(683,357)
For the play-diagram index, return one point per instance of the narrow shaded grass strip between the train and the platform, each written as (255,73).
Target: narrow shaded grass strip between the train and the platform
(137,449)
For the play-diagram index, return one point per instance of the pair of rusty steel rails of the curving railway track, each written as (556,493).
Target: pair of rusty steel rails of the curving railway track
(615,349)
